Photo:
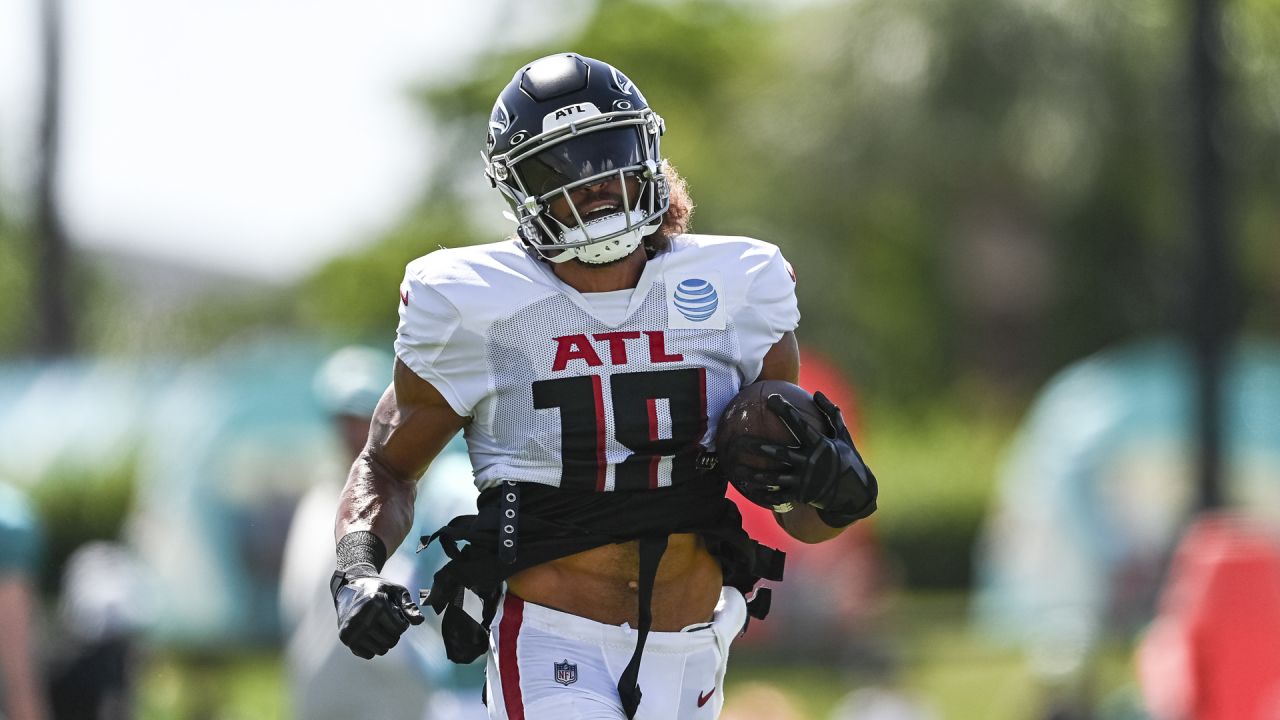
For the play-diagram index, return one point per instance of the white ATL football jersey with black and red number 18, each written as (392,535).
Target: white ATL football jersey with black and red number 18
(559,395)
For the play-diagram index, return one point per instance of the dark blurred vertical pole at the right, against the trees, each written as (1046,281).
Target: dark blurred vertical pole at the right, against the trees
(1212,275)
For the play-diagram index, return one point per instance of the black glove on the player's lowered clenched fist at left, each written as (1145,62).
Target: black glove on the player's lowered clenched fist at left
(373,612)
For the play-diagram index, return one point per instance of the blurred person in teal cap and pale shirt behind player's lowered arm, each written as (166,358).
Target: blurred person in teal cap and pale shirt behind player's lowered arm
(327,682)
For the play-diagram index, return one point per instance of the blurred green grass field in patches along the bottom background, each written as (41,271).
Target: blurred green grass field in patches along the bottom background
(944,666)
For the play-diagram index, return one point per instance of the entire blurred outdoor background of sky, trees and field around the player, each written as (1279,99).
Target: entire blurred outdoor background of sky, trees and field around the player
(1039,254)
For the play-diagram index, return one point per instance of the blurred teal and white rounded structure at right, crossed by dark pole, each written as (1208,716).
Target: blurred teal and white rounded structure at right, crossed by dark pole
(1096,493)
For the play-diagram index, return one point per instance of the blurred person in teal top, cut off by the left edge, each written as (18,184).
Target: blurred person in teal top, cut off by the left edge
(22,690)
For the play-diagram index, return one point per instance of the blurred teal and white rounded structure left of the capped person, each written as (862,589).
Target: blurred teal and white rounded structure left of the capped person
(228,450)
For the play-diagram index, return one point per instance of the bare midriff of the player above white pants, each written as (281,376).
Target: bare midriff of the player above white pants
(604,585)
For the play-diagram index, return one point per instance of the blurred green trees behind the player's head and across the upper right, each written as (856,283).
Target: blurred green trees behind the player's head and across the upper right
(973,194)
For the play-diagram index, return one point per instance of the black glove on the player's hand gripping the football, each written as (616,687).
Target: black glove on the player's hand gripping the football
(825,472)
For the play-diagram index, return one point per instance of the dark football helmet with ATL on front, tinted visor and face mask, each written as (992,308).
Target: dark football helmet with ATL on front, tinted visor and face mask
(550,147)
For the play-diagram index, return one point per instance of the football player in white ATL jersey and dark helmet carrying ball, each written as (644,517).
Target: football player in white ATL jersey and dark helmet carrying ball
(588,359)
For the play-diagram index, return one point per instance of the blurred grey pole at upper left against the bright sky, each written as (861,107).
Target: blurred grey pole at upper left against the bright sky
(54,332)
